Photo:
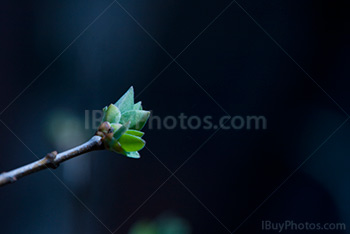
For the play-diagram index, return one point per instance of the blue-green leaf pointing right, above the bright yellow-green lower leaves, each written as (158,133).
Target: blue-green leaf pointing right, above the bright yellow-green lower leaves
(137,118)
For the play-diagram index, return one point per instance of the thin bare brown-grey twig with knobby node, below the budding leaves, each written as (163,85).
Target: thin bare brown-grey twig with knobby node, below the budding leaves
(51,160)
